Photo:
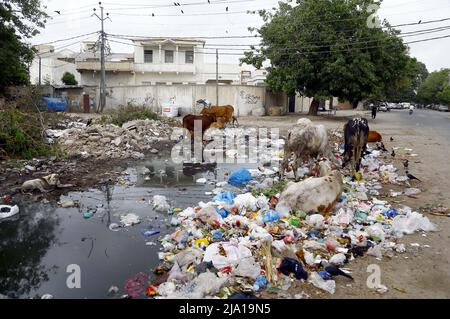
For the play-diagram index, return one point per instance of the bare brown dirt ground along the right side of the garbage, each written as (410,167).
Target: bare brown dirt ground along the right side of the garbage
(421,272)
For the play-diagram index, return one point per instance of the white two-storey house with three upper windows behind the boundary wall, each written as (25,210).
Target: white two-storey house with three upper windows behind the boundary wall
(157,61)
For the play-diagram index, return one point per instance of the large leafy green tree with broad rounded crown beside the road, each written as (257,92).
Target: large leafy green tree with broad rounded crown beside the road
(322,48)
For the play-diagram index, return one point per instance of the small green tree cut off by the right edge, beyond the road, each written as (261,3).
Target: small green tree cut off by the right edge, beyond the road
(434,88)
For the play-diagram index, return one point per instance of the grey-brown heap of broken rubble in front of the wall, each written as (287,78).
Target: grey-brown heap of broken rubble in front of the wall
(109,141)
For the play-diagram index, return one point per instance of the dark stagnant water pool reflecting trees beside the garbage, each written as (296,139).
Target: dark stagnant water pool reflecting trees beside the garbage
(38,244)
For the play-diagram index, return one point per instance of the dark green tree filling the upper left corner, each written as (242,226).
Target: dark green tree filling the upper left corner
(19,20)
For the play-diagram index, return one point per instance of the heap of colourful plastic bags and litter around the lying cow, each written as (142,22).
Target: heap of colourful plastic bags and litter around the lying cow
(238,243)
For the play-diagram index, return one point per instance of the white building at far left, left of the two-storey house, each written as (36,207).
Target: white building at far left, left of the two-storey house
(53,65)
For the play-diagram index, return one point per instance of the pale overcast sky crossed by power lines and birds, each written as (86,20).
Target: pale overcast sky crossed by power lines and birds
(201,19)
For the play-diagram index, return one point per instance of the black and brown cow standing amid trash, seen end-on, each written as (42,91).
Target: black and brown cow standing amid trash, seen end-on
(356,135)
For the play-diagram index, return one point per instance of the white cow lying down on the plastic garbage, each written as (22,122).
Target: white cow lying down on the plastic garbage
(314,194)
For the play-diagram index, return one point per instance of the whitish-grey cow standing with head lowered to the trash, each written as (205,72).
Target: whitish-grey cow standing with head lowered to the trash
(304,140)
